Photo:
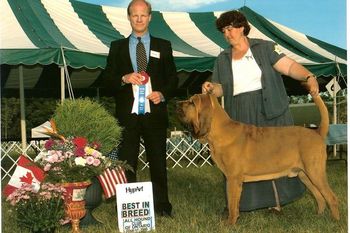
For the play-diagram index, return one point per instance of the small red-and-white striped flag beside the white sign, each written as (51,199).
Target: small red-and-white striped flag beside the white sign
(110,178)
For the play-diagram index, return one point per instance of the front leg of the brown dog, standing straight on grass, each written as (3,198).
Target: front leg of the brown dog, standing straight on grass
(234,189)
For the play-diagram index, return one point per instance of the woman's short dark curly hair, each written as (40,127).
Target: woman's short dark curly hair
(235,19)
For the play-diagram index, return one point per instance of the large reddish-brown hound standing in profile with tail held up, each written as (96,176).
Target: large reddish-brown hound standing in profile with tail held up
(247,153)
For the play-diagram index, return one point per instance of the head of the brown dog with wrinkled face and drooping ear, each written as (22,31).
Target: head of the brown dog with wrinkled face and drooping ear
(196,112)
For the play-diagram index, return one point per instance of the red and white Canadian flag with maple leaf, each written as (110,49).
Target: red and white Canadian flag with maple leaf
(25,172)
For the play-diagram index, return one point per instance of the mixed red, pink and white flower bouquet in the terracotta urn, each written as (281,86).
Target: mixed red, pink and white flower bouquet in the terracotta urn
(72,159)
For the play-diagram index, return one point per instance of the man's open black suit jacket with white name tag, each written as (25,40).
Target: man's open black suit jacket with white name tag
(162,72)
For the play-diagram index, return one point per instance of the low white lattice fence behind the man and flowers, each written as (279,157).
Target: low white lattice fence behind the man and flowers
(182,151)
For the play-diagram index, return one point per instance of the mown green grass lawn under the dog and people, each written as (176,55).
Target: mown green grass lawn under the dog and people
(198,198)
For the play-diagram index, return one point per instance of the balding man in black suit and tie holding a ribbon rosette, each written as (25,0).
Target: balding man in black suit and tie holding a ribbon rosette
(123,76)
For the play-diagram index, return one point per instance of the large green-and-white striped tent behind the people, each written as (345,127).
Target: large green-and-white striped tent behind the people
(45,35)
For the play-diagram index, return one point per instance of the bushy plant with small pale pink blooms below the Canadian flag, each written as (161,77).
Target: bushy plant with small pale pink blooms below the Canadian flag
(39,211)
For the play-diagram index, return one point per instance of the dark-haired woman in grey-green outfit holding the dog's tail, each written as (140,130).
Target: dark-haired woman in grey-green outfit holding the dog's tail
(248,75)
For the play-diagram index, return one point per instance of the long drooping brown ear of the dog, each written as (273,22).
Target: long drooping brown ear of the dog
(202,119)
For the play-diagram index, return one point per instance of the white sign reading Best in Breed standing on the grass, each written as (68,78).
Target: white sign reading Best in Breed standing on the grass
(135,207)
